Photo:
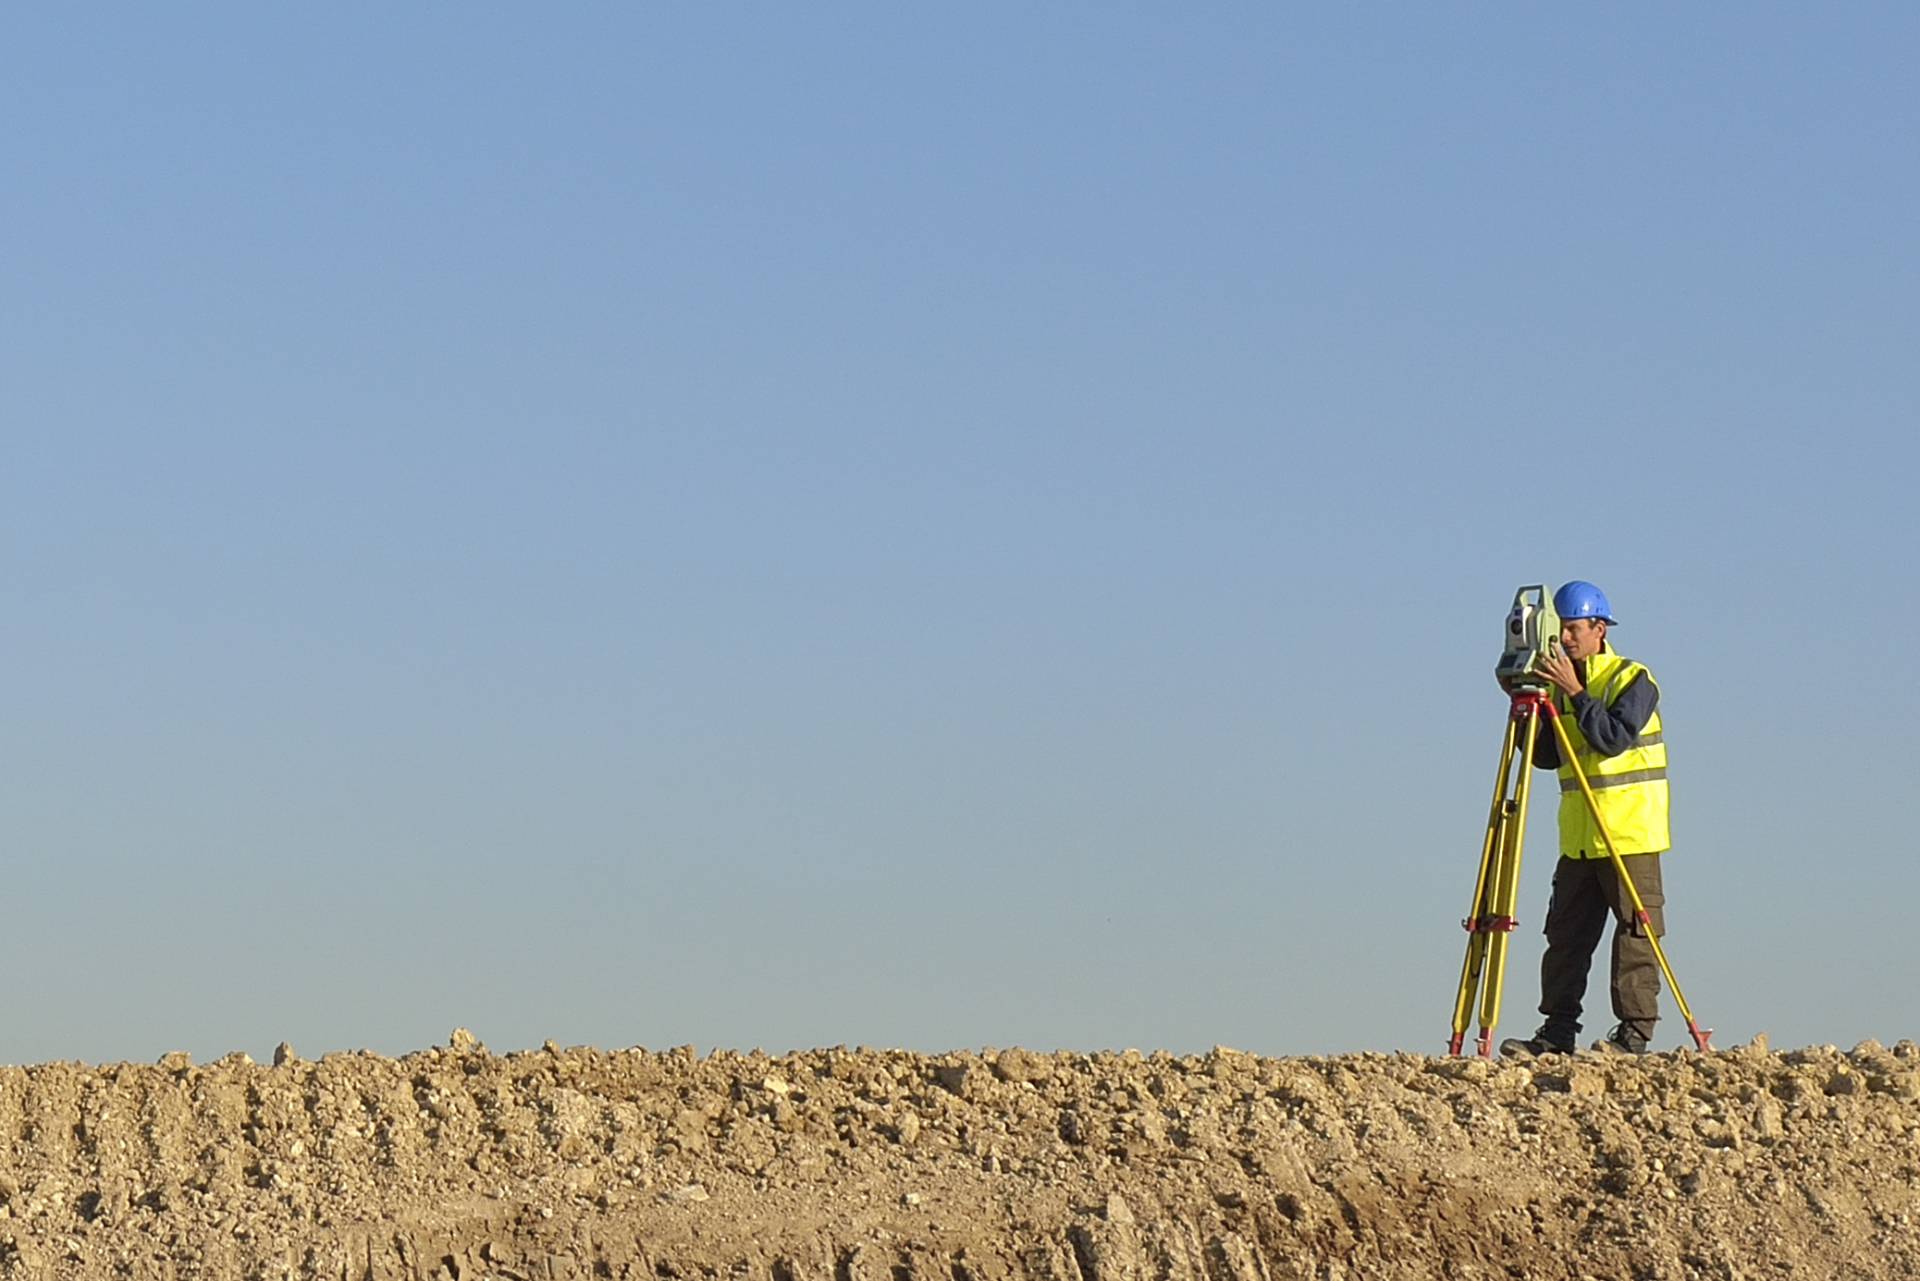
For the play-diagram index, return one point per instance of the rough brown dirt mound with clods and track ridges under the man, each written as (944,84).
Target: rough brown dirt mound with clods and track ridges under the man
(994,1167)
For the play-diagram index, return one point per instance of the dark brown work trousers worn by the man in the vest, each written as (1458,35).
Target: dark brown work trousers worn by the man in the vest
(1587,892)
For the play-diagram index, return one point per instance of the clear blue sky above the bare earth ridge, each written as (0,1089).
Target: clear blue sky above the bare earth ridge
(802,525)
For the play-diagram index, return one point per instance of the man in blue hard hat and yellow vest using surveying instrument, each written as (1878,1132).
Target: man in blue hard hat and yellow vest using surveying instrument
(1612,712)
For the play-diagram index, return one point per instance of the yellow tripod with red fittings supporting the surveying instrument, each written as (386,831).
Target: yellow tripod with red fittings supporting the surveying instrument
(1499,886)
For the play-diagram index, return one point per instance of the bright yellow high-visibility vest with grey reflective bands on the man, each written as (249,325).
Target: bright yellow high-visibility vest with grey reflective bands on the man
(1631,786)
